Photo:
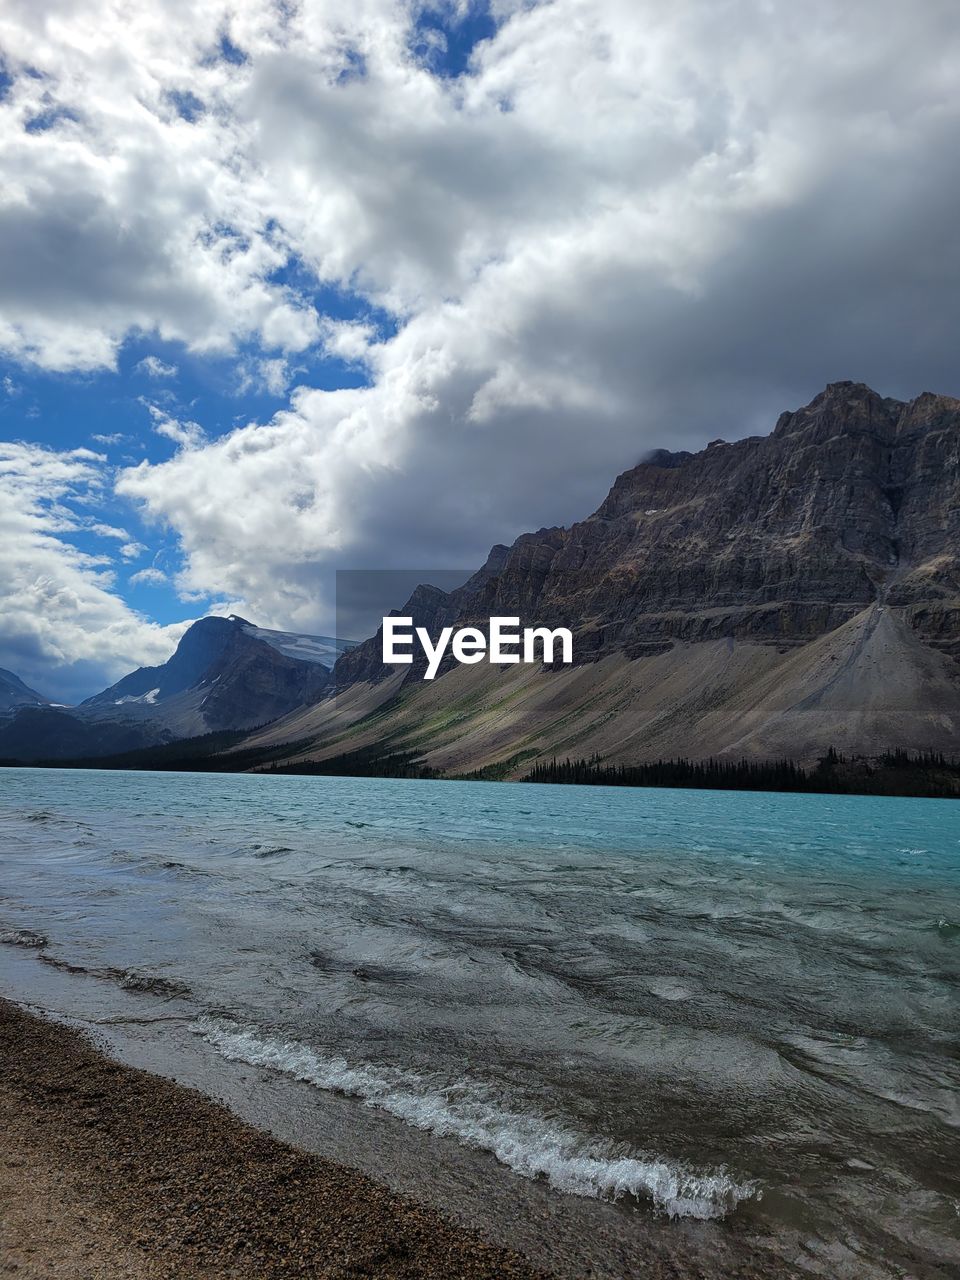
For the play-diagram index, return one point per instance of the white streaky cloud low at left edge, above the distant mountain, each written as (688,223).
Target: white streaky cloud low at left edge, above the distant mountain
(63,628)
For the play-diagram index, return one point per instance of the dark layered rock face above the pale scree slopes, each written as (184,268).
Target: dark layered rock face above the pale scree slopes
(852,501)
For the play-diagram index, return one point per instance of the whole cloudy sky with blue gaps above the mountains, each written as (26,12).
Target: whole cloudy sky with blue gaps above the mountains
(289,289)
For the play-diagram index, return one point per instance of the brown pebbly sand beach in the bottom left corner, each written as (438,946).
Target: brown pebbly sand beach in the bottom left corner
(108,1172)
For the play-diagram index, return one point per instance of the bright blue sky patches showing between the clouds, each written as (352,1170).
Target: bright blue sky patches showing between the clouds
(108,410)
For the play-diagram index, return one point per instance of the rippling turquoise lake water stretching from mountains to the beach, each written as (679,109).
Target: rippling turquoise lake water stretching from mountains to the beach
(705,1020)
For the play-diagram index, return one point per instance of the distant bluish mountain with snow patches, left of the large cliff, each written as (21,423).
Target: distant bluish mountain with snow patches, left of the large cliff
(225,675)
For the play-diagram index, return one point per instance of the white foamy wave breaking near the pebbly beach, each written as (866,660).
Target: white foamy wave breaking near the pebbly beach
(529,1145)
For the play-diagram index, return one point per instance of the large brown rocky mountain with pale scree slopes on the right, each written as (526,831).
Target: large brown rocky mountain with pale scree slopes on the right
(770,597)
